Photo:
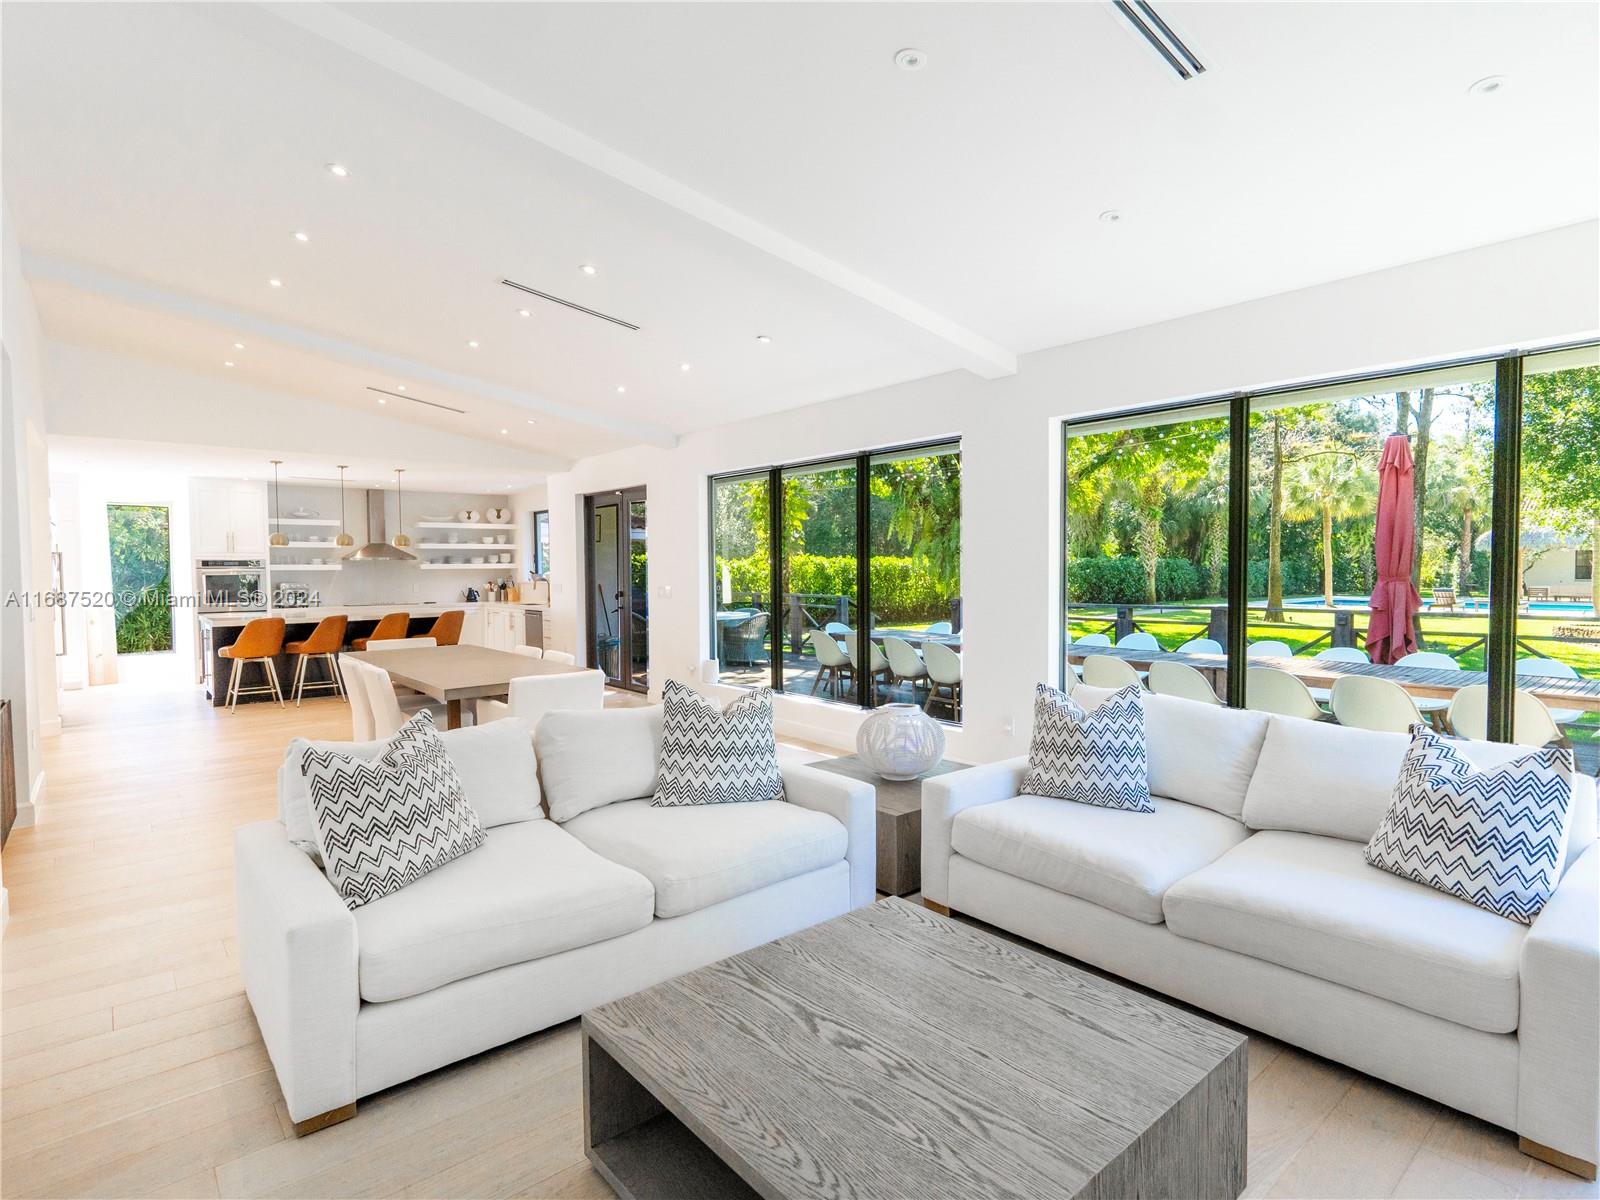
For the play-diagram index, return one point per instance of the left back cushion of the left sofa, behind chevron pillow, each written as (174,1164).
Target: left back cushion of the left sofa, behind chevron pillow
(495,762)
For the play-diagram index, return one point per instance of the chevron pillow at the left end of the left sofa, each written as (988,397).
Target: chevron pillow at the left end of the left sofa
(386,822)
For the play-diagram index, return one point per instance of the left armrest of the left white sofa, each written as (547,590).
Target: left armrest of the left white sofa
(297,953)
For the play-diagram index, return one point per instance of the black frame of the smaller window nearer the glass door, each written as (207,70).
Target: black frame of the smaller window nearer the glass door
(775,513)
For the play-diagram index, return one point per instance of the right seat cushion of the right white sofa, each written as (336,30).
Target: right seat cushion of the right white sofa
(1313,905)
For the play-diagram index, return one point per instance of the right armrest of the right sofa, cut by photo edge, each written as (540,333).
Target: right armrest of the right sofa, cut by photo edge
(1559,1033)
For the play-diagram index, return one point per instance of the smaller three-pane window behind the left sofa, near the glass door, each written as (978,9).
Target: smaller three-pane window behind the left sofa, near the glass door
(857,598)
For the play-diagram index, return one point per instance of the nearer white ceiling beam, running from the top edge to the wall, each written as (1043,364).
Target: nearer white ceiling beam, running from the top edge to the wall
(953,342)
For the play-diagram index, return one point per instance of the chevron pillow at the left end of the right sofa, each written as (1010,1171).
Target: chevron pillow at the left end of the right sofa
(1095,758)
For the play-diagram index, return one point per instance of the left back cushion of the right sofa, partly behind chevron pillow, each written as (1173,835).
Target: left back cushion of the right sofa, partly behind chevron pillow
(1201,754)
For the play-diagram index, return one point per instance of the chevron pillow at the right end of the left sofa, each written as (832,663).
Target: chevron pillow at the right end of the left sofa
(713,756)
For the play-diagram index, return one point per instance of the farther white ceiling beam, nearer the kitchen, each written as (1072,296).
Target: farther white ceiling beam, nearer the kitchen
(153,298)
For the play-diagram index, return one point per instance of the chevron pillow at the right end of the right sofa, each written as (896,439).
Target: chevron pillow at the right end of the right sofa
(1492,838)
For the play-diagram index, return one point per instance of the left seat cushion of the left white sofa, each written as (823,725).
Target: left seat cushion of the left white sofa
(530,892)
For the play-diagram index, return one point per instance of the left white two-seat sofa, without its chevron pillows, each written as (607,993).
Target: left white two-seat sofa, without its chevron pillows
(550,918)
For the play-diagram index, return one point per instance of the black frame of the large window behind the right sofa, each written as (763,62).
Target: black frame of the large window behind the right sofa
(1505,510)
